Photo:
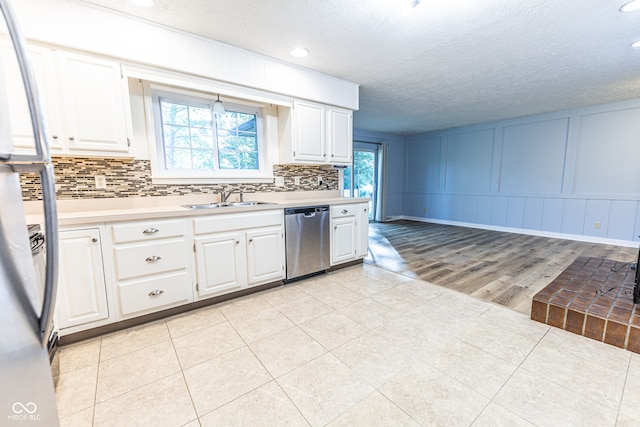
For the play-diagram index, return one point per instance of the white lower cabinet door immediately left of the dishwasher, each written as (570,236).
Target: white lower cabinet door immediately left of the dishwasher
(265,255)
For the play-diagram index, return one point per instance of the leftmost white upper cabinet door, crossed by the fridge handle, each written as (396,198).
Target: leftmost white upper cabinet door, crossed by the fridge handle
(41,61)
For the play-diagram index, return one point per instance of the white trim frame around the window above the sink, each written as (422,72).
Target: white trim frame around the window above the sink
(160,175)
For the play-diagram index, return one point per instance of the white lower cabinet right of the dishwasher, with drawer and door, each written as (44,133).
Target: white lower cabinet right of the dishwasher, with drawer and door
(349,232)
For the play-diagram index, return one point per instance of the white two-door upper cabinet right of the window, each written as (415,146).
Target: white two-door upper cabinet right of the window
(312,133)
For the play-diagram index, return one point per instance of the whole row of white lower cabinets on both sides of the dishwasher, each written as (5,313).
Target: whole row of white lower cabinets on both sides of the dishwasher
(146,266)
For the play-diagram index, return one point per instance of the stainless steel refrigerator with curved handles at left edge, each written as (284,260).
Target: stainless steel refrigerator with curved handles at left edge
(26,306)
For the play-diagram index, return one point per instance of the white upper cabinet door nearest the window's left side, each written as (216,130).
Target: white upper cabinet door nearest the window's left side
(92,89)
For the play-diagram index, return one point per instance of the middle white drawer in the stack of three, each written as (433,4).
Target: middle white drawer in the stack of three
(142,260)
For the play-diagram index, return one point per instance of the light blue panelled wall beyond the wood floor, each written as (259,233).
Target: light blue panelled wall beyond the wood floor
(553,173)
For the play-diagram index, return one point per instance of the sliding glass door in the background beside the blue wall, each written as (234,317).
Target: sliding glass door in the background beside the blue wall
(361,178)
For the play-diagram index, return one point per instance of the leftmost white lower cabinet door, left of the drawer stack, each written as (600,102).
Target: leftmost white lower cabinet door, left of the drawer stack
(82,296)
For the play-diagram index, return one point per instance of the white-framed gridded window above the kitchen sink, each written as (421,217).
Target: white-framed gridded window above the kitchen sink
(194,142)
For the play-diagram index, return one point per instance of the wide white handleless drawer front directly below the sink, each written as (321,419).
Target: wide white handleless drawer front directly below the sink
(227,222)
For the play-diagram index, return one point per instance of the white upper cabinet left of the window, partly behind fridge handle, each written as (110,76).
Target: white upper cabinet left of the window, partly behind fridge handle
(84,101)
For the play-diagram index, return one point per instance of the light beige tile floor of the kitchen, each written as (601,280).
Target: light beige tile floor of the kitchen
(360,346)
